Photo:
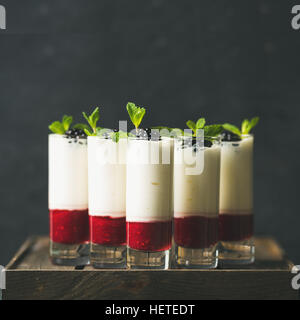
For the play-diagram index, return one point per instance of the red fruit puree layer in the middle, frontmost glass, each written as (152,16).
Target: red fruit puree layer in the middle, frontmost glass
(149,236)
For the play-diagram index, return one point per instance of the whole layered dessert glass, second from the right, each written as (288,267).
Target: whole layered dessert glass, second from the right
(196,202)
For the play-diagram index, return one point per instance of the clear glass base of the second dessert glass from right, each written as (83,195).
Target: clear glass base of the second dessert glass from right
(196,258)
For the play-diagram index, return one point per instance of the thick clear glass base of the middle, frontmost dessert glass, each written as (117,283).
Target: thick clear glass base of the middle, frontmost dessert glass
(137,259)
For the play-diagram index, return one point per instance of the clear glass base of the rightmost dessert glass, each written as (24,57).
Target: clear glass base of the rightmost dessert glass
(236,252)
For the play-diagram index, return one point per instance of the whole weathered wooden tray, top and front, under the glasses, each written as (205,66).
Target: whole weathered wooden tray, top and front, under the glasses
(30,275)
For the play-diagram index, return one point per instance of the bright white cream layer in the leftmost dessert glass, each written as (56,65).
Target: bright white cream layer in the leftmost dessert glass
(68,173)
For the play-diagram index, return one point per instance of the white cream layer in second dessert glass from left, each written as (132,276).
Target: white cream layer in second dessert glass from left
(107,177)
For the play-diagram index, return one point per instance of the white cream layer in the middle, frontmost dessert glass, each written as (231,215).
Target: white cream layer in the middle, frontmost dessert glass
(149,185)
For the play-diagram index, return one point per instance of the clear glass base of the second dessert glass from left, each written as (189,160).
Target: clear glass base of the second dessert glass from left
(103,257)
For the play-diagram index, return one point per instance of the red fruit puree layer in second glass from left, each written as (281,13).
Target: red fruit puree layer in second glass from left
(106,230)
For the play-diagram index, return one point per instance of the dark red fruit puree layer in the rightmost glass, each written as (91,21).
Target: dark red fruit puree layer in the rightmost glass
(233,227)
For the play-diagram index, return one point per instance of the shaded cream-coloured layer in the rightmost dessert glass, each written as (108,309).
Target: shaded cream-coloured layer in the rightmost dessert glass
(236,183)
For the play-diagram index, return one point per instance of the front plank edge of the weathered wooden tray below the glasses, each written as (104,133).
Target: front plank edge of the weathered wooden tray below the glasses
(160,285)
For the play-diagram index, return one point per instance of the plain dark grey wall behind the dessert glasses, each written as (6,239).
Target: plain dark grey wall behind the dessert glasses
(224,60)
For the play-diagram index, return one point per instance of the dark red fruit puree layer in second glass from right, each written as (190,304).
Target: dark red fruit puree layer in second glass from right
(197,232)
